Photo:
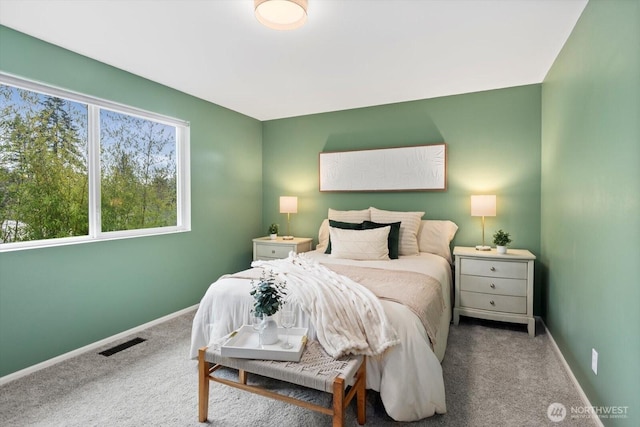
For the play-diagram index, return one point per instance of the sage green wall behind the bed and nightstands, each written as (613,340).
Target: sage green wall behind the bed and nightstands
(493,147)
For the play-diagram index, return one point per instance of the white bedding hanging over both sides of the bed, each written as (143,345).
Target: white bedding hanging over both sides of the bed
(408,376)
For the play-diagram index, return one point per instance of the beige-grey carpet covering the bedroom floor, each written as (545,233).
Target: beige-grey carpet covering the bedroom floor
(494,376)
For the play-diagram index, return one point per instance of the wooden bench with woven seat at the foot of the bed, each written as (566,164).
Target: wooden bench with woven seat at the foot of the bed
(316,370)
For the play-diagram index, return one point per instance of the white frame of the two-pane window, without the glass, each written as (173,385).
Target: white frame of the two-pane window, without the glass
(94,105)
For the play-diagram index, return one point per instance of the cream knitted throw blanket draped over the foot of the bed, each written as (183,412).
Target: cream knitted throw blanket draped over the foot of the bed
(349,319)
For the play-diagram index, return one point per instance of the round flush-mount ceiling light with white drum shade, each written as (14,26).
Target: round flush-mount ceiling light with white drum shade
(281,14)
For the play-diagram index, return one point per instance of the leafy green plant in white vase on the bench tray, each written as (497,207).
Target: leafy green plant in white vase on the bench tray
(268,296)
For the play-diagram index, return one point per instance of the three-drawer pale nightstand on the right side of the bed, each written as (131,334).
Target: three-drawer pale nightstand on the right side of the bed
(494,286)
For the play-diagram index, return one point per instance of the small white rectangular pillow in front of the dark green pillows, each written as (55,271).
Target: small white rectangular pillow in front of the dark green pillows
(360,244)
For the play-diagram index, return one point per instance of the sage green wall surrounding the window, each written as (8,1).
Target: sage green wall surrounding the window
(54,300)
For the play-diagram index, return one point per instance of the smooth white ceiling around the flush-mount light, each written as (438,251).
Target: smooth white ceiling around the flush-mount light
(349,54)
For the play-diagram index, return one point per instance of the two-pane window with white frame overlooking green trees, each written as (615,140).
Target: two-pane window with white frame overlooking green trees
(75,168)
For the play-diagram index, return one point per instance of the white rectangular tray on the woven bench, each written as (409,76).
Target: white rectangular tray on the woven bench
(244,343)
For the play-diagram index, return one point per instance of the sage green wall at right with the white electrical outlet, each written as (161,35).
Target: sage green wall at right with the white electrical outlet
(591,203)
